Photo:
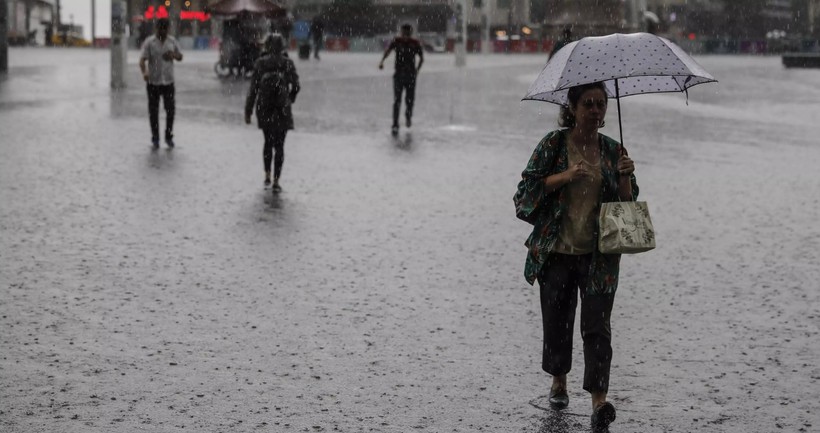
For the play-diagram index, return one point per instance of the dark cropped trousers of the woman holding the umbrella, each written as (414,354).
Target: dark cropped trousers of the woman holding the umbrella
(560,281)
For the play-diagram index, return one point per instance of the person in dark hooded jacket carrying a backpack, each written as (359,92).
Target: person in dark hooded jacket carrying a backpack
(273,117)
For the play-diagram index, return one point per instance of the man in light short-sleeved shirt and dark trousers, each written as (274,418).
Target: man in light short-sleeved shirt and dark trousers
(157,65)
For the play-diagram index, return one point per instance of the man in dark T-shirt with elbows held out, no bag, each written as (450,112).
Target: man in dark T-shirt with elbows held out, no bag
(404,78)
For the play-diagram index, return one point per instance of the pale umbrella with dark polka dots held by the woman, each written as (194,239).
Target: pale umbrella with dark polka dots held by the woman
(627,64)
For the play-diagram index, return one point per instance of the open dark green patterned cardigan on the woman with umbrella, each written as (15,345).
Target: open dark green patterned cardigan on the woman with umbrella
(544,211)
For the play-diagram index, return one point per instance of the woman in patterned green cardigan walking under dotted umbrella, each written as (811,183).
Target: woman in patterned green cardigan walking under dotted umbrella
(571,172)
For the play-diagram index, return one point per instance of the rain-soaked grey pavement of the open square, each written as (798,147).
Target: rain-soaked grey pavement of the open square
(382,290)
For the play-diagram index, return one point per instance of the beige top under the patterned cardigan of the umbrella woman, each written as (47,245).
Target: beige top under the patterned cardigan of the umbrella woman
(576,233)
